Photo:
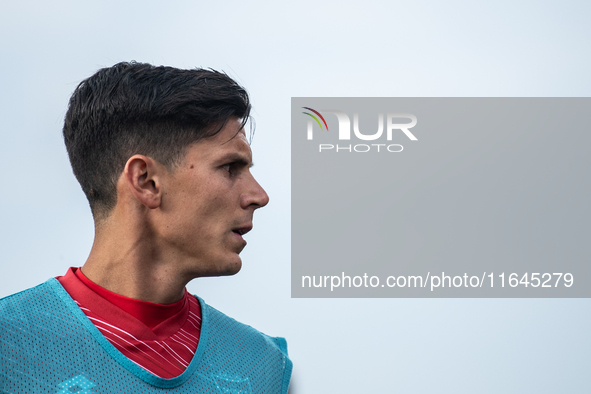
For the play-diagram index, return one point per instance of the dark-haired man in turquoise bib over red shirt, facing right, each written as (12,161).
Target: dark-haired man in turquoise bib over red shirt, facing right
(162,156)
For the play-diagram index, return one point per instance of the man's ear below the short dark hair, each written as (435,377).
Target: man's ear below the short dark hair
(142,175)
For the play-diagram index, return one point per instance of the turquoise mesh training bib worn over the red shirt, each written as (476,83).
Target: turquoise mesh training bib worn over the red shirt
(47,345)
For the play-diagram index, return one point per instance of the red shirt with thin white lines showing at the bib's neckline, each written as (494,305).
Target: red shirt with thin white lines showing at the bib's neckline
(162,339)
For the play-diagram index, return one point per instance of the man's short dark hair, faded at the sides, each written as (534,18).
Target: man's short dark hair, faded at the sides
(137,108)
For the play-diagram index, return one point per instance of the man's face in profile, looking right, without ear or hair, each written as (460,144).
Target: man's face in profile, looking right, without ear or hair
(209,201)
